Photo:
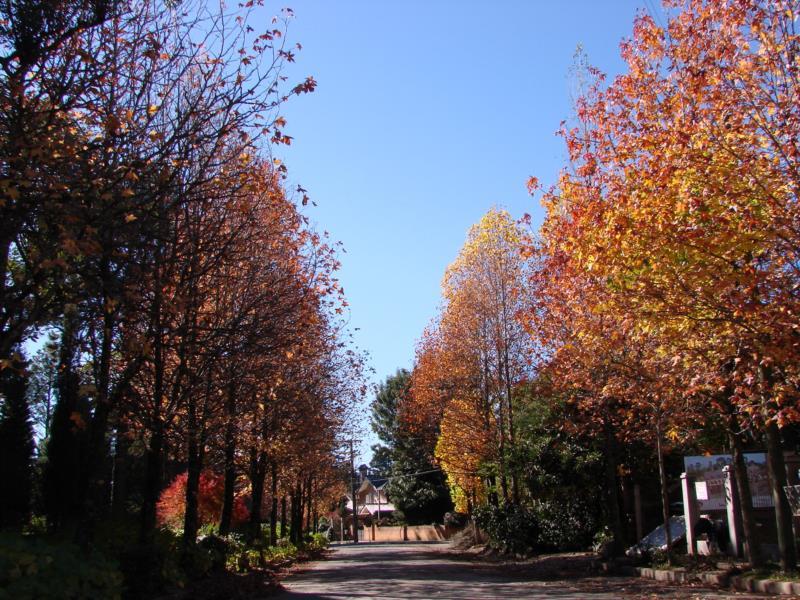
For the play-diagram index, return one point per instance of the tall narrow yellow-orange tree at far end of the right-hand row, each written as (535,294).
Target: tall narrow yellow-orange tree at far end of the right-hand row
(471,360)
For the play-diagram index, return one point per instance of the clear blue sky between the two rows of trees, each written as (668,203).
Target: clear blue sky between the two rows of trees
(427,114)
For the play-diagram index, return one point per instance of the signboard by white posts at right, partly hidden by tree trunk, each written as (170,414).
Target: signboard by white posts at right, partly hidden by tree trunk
(707,472)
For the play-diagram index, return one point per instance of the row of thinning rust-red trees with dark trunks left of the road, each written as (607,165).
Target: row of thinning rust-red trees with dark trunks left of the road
(192,311)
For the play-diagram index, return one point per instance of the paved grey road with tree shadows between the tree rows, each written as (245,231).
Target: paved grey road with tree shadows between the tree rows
(430,571)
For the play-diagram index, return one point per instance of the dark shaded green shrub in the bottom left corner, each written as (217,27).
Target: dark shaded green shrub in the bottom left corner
(34,568)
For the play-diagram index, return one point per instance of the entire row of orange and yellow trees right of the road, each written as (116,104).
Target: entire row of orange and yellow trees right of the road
(659,298)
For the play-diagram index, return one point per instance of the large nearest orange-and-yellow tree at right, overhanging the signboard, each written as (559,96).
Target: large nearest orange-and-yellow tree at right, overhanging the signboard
(679,197)
